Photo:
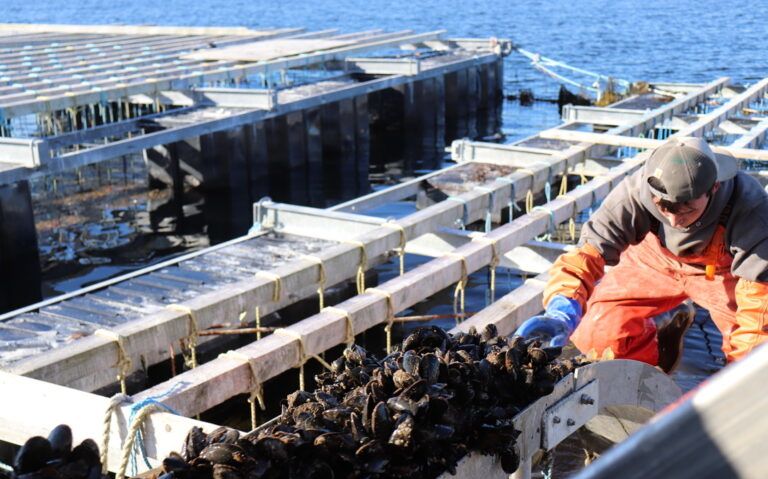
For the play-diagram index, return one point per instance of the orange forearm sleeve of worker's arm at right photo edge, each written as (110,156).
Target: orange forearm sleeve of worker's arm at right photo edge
(751,318)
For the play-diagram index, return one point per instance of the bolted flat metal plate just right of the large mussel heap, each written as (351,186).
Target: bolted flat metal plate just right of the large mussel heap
(567,415)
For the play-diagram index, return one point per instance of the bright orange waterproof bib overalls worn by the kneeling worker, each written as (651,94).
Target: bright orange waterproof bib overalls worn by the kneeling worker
(650,280)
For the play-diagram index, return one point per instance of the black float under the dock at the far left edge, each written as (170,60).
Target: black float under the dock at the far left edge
(18,248)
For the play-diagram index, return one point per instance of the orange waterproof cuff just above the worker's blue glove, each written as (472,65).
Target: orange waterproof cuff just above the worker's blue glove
(574,275)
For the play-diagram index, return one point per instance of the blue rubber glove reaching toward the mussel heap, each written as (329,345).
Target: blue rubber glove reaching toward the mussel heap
(557,323)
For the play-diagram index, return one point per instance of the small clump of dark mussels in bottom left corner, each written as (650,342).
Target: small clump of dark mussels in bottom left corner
(55,458)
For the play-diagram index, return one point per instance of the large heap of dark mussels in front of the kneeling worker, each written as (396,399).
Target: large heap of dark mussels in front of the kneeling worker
(415,413)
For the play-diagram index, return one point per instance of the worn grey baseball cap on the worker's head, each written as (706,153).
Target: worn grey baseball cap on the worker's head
(686,168)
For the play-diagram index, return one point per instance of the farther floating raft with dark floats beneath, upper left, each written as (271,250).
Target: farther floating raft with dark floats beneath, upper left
(238,113)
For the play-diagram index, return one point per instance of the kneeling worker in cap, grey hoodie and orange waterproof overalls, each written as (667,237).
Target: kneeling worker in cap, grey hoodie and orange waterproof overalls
(687,224)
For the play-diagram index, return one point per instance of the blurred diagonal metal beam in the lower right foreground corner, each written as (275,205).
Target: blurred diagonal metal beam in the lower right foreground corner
(719,431)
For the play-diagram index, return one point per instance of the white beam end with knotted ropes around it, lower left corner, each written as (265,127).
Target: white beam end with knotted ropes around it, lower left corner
(36,407)
